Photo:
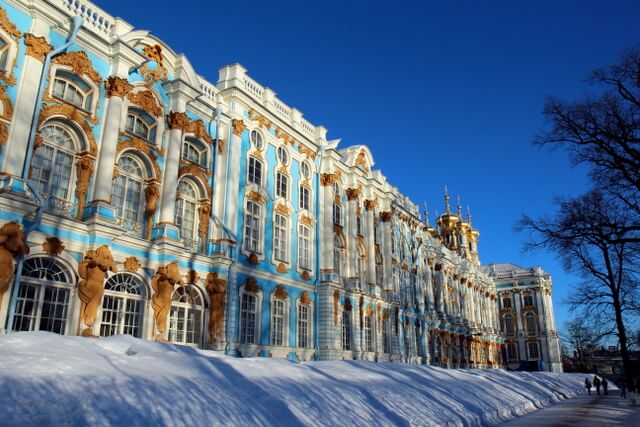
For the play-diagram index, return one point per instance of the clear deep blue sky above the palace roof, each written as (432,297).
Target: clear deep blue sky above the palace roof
(443,92)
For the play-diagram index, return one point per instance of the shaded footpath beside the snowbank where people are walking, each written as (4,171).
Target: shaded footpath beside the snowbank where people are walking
(585,411)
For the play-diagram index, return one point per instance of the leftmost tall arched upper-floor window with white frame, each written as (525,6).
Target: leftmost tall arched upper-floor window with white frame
(52,168)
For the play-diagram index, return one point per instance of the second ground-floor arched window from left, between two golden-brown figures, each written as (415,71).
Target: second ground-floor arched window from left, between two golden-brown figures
(123,306)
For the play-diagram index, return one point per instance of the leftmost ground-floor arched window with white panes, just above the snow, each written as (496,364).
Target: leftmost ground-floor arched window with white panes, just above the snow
(43,299)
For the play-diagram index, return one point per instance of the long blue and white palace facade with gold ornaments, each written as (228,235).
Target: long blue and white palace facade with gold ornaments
(155,203)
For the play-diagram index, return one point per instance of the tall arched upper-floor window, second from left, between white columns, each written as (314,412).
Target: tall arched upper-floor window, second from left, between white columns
(128,194)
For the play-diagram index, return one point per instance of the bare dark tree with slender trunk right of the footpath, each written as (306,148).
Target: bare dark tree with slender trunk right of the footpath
(584,234)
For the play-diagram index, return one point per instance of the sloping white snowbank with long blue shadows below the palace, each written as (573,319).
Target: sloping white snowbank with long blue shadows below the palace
(47,379)
